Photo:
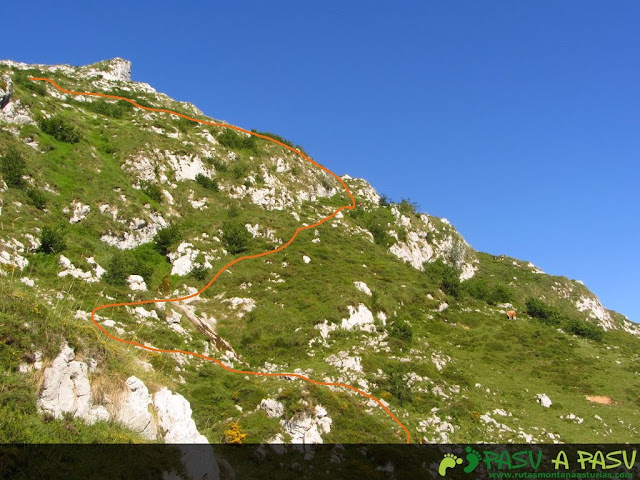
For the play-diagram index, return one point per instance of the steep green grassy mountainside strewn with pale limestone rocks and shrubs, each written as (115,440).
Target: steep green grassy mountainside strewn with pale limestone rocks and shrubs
(106,203)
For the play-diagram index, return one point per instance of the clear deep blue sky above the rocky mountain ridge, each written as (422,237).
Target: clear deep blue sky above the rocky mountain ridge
(519,121)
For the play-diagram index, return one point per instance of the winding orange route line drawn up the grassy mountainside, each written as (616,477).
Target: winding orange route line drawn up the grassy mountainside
(233,262)
